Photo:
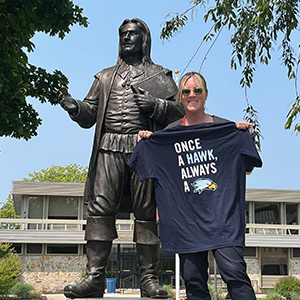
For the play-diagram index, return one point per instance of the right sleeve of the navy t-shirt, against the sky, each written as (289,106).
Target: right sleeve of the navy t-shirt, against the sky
(249,152)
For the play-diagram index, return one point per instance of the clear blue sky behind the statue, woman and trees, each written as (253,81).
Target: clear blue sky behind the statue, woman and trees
(85,51)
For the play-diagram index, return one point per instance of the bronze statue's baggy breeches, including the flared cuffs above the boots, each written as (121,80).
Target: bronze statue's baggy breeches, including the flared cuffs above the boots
(116,183)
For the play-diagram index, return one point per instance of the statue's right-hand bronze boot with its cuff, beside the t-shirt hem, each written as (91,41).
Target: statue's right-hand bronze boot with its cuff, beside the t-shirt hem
(148,249)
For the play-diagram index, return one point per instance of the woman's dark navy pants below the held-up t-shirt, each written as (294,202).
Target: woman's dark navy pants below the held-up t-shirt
(232,267)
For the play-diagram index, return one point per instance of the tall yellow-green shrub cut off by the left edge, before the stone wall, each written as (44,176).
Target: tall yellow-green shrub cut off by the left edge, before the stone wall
(10,269)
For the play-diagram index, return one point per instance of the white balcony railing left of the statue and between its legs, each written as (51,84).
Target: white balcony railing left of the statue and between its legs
(54,224)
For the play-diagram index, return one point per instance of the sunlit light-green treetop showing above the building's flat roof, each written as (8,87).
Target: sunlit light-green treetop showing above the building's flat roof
(69,173)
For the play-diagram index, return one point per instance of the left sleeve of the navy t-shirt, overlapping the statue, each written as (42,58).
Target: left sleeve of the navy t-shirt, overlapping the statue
(142,161)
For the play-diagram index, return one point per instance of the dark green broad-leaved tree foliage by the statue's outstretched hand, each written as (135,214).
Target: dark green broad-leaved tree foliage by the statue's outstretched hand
(19,21)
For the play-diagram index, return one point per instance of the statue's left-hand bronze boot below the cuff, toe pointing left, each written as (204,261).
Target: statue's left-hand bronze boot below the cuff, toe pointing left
(94,283)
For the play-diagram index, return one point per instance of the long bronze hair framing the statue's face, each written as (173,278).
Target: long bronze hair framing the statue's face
(146,46)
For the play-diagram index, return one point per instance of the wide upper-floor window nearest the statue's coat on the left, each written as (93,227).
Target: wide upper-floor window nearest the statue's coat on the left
(63,208)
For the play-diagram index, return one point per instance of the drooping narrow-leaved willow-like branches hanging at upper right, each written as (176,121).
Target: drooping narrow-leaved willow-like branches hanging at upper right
(256,26)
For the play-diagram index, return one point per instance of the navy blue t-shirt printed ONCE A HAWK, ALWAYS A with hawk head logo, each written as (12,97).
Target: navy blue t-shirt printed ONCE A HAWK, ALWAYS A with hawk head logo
(200,175)
